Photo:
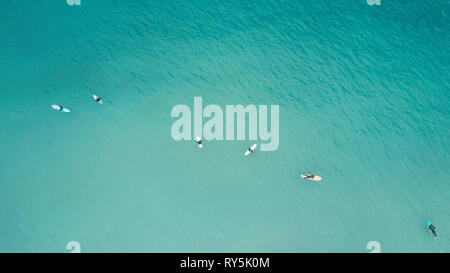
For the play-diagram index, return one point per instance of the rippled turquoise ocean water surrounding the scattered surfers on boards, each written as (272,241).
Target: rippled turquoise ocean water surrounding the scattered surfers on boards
(364,103)
